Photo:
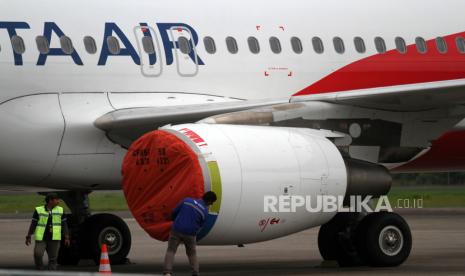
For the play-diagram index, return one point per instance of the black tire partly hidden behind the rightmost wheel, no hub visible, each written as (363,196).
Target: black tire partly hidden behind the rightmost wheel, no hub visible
(335,240)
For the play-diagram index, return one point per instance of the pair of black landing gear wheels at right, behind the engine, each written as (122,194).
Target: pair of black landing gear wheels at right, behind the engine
(378,239)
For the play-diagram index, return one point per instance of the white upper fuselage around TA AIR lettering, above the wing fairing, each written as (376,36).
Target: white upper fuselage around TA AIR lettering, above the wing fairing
(240,75)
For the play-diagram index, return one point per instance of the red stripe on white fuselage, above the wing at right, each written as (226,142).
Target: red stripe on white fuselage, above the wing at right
(393,68)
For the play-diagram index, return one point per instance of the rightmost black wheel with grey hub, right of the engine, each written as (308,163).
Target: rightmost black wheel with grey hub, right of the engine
(384,239)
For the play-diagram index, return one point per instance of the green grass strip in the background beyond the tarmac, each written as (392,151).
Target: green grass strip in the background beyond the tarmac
(428,196)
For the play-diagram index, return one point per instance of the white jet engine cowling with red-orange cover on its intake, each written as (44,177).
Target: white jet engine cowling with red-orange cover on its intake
(242,164)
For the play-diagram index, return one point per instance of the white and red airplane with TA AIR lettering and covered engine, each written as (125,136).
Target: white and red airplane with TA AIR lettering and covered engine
(170,99)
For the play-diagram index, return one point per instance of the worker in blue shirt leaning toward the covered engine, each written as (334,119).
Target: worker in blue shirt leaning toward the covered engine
(189,216)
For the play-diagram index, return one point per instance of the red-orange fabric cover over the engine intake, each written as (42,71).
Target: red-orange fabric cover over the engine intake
(159,170)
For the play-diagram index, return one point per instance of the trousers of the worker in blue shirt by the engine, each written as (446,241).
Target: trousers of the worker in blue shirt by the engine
(190,243)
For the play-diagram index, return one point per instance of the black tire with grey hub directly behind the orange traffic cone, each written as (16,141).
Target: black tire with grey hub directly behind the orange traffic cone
(109,229)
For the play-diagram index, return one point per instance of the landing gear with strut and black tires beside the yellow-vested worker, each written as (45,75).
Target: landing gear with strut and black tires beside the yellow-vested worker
(88,232)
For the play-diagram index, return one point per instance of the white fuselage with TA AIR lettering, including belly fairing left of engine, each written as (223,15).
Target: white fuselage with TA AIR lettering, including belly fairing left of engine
(48,102)
